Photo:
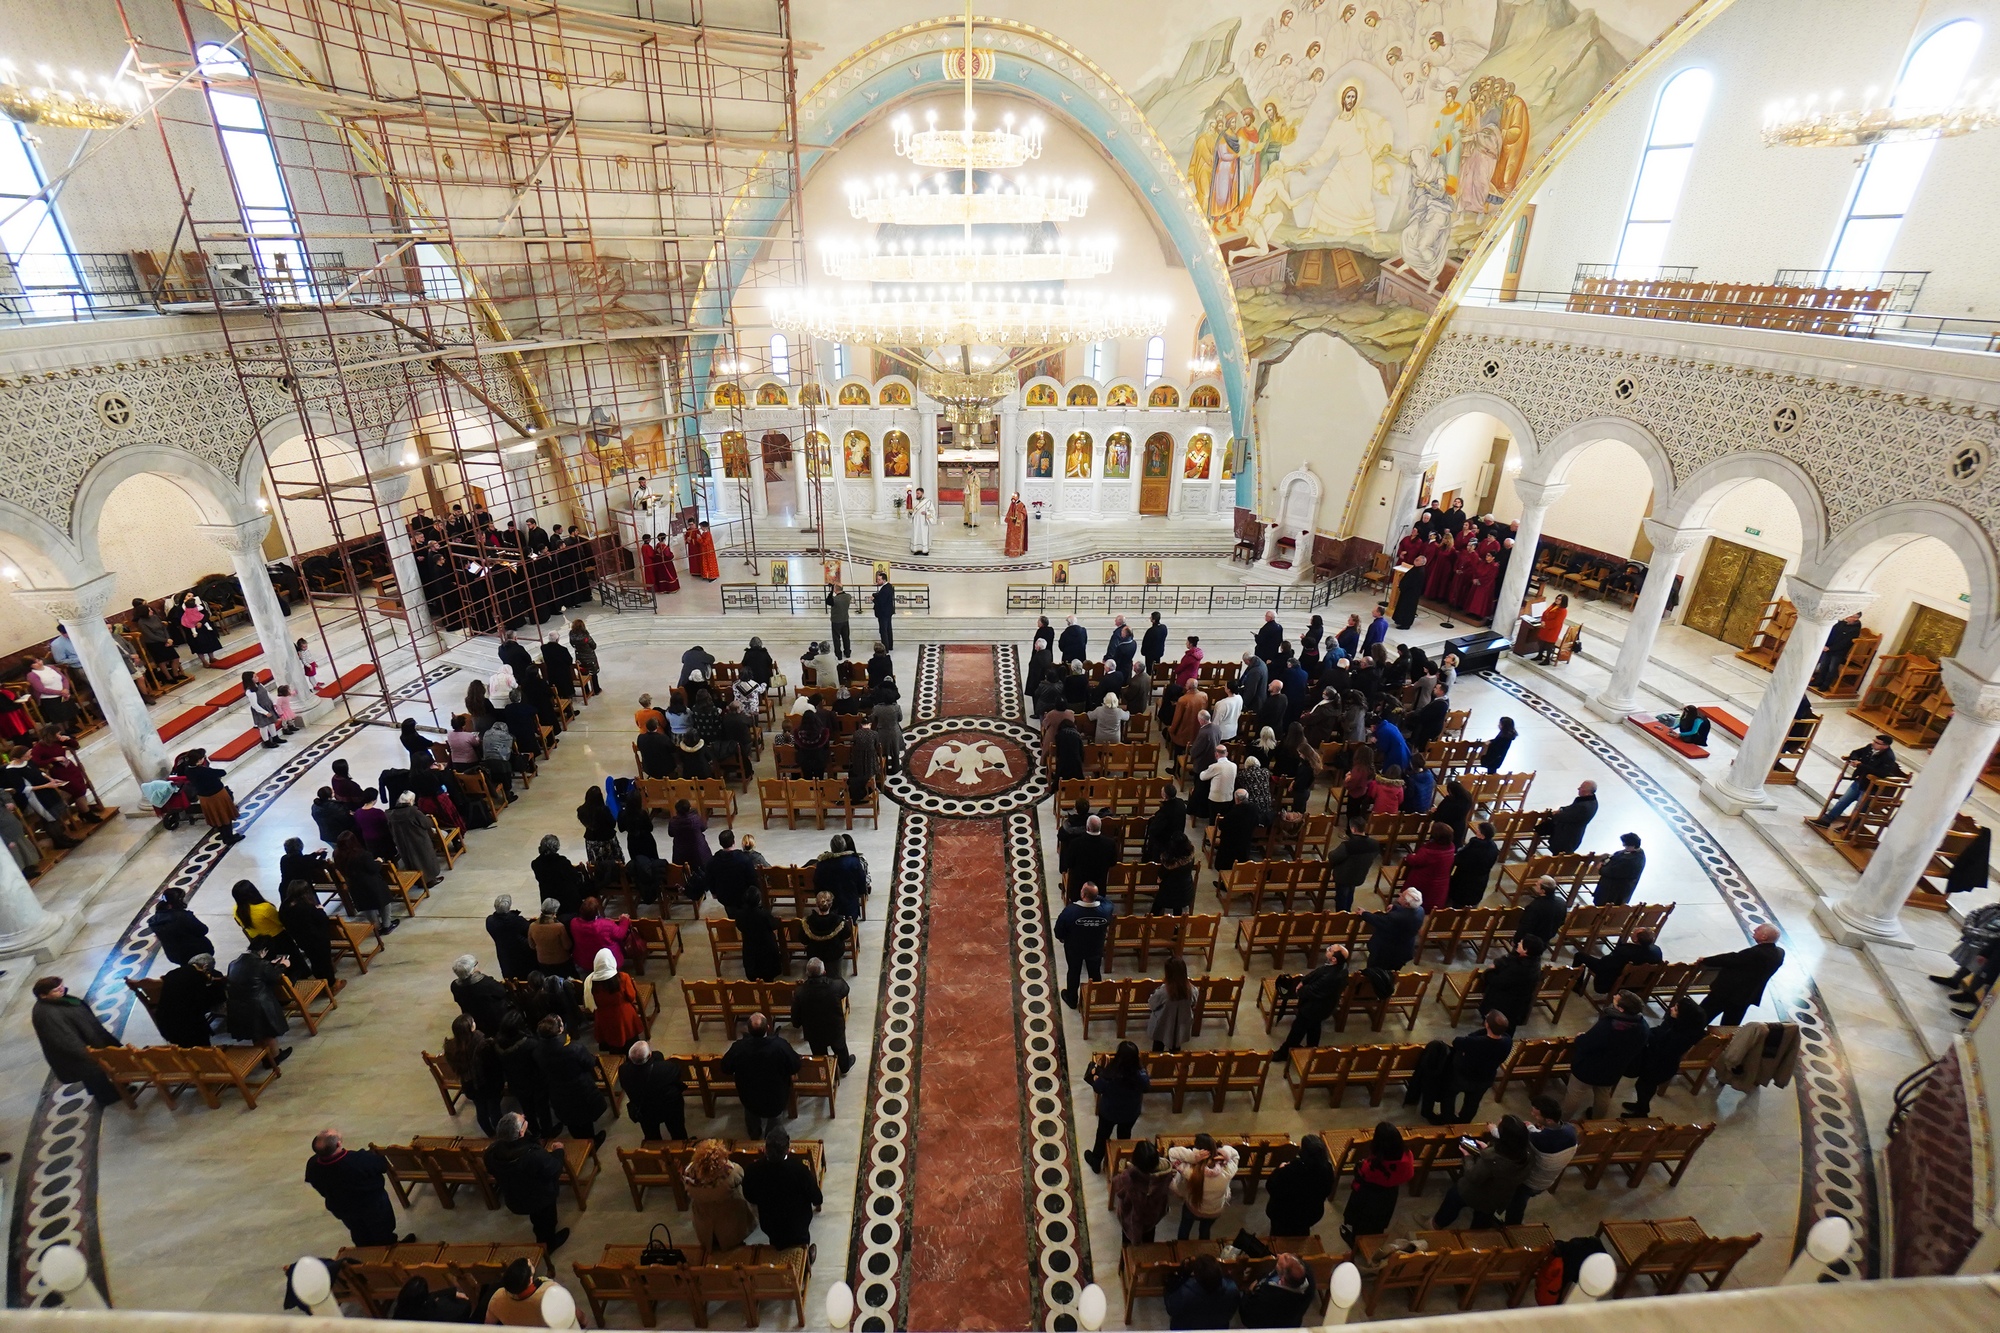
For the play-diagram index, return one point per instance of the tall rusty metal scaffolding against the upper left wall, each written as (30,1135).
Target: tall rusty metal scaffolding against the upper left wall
(509,259)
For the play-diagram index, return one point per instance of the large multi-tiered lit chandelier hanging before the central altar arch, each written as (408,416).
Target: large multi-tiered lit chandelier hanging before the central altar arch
(933,303)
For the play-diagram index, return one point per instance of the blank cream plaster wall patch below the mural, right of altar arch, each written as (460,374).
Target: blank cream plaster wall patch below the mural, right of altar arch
(1319,407)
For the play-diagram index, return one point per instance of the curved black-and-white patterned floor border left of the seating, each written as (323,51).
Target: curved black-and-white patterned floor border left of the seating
(57,1184)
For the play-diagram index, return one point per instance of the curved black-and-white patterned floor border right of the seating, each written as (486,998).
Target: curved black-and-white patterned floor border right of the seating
(1835,1160)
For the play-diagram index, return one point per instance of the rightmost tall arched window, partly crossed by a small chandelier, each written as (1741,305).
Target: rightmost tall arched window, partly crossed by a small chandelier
(1891,173)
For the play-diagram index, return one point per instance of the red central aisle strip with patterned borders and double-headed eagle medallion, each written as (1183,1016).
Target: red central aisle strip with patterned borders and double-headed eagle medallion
(967,1214)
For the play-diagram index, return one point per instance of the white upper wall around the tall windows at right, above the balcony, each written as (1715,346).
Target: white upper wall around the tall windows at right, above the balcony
(1749,211)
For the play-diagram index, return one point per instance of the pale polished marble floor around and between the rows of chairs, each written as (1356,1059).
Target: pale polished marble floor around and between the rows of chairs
(199,1210)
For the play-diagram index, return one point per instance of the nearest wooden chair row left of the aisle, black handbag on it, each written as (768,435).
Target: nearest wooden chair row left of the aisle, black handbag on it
(749,1276)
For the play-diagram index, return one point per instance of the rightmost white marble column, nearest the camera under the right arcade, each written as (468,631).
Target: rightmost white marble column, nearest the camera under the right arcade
(1873,908)
